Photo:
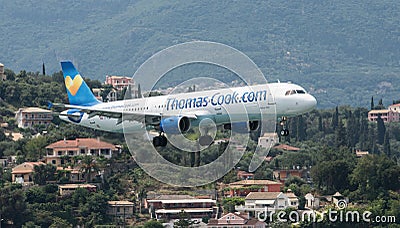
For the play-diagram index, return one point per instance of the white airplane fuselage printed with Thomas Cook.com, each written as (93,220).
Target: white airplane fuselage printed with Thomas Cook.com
(244,103)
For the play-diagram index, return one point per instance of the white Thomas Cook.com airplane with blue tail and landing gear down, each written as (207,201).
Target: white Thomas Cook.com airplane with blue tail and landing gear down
(177,113)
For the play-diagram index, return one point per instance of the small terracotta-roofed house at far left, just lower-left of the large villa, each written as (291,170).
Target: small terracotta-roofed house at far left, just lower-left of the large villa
(23,173)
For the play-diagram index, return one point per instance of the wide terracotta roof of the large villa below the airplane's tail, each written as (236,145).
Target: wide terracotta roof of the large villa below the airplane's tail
(81,142)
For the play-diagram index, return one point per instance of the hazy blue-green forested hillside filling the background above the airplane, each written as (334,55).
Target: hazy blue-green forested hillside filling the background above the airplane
(343,52)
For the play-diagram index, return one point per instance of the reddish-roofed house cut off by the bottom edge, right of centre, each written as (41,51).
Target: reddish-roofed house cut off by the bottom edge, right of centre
(236,220)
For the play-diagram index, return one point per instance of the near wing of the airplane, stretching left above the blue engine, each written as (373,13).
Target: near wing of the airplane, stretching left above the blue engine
(140,116)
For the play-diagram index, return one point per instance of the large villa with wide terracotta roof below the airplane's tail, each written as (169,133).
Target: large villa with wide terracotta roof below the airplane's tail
(61,152)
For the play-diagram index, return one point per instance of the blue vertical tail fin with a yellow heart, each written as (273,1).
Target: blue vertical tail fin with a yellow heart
(78,91)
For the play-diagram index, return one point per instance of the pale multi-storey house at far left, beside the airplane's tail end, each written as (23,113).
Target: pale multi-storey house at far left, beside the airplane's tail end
(28,117)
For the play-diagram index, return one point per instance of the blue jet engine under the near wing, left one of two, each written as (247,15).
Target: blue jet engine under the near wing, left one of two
(175,124)
